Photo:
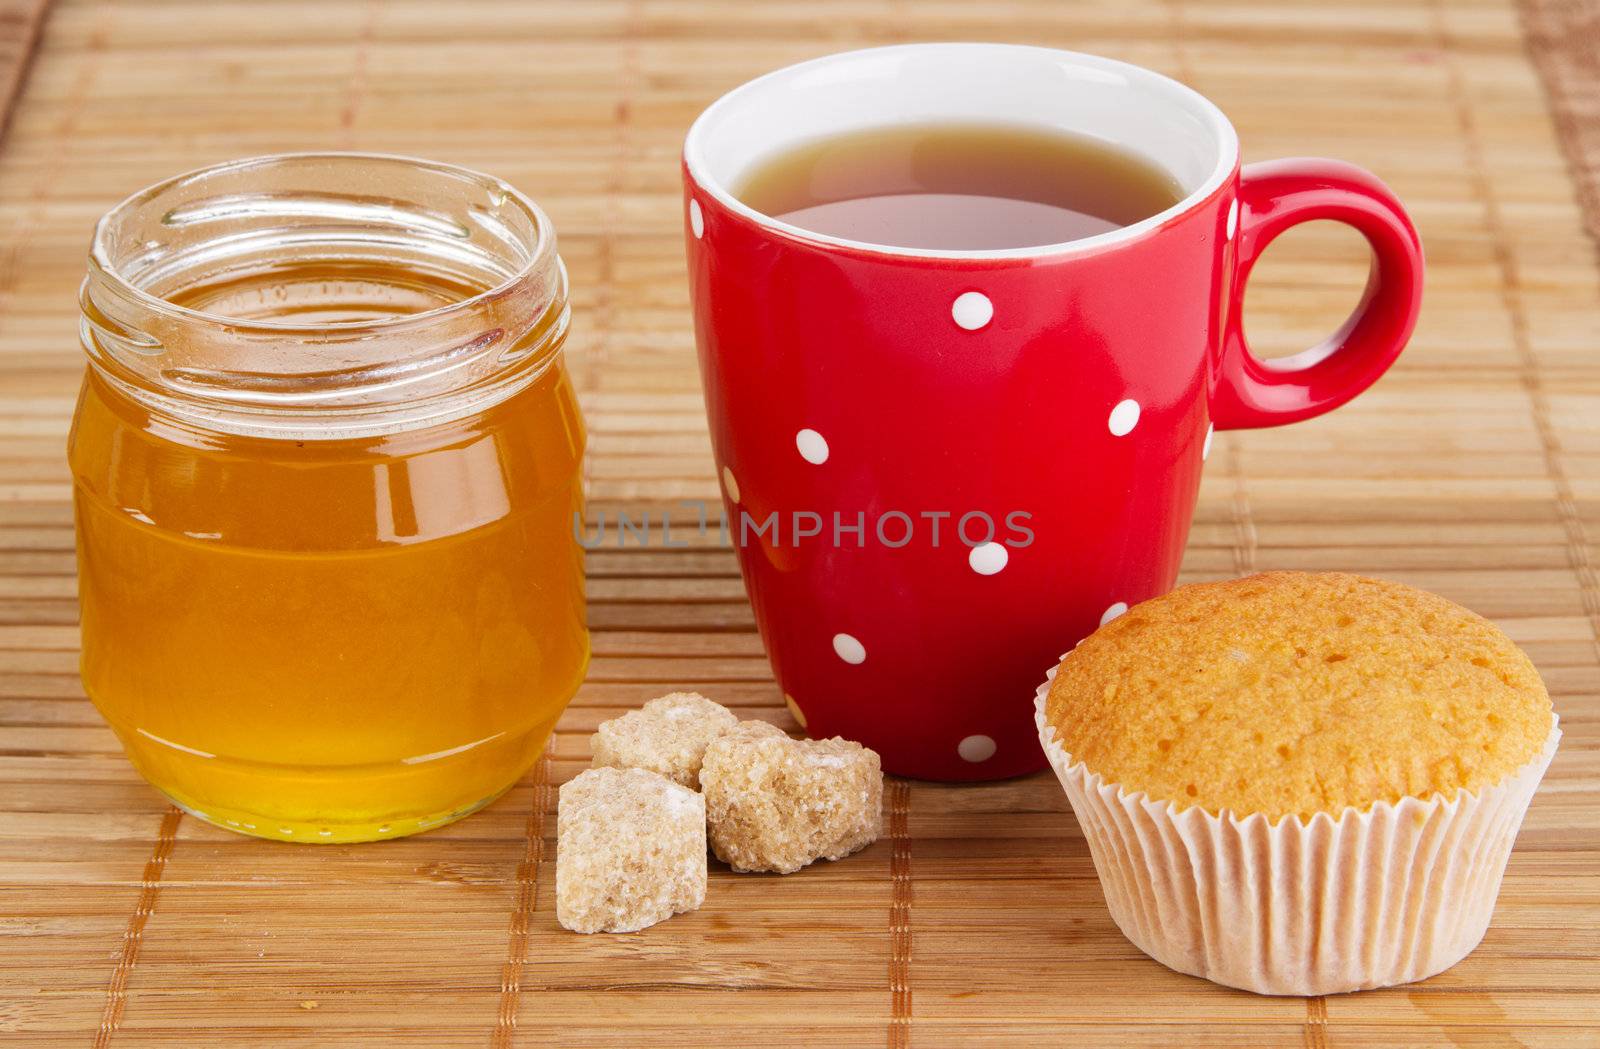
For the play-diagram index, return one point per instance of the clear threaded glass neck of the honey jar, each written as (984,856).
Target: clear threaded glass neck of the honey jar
(500,325)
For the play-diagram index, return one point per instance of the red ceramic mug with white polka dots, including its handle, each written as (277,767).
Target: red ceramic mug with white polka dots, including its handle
(945,468)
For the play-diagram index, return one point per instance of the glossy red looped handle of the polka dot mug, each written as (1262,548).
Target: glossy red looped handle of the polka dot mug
(1273,197)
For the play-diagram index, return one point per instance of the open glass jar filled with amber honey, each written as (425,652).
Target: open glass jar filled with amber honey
(326,473)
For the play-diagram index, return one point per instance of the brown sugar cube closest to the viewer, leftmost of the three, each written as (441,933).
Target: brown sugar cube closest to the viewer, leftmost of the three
(631,852)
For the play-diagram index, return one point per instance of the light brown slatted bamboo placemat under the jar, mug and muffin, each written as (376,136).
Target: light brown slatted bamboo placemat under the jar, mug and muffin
(1473,469)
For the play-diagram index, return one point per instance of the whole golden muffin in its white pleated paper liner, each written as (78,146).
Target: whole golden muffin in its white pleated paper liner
(1300,783)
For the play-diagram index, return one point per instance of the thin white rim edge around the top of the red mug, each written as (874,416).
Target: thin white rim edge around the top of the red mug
(697,166)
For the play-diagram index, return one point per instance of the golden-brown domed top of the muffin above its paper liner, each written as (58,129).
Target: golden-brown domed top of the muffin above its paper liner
(1298,693)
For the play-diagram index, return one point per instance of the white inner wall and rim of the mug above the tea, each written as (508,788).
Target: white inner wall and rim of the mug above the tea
(1127,106)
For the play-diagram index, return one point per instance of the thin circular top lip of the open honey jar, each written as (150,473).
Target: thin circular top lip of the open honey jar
(538,257)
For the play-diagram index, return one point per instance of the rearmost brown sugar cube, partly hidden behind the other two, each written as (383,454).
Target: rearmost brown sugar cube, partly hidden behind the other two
(666,736)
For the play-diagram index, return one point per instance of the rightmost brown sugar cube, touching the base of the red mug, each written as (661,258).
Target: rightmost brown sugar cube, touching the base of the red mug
(778,804)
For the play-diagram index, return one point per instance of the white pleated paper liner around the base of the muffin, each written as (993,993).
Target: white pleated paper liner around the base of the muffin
(1374,898)
